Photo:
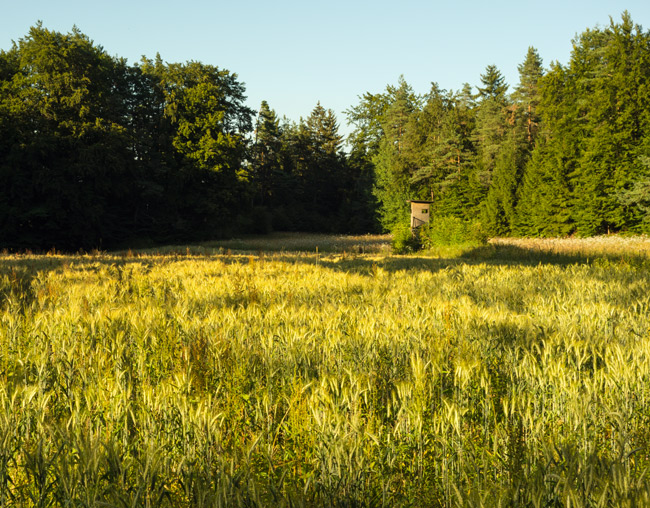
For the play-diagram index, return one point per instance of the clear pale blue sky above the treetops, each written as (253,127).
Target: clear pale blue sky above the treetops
(294,53)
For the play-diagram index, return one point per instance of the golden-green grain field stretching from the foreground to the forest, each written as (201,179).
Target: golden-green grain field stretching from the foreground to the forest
(325,371)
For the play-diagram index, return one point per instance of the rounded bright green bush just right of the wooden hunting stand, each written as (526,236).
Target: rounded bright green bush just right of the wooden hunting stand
(449,230)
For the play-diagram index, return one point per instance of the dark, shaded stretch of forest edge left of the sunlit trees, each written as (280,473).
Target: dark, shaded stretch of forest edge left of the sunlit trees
(97,153)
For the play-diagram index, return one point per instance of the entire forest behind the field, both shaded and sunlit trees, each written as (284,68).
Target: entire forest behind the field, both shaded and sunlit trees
(97,153)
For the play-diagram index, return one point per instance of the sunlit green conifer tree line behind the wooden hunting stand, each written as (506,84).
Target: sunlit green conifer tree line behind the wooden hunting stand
(567,152)
